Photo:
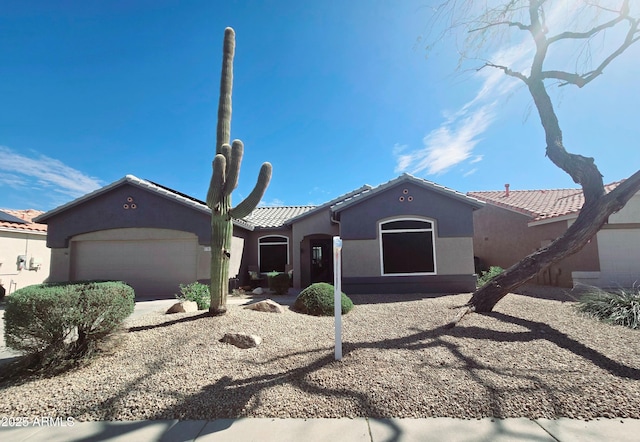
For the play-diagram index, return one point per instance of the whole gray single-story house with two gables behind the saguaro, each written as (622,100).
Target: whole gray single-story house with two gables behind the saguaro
(407,235)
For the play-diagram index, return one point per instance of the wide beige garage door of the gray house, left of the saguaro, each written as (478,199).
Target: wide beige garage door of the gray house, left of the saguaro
(152,267)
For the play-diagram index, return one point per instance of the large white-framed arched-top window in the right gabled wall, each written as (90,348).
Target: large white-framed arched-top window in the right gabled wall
(407,247)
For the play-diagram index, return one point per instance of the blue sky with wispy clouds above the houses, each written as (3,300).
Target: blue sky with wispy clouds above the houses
(335,94)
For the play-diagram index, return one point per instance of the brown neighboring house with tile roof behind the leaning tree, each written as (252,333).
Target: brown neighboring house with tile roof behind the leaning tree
(514,224)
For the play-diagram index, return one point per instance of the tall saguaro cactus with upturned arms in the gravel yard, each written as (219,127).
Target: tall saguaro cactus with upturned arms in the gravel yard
(226,169)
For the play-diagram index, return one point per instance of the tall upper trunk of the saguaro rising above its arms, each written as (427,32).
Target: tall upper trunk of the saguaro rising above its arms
(223,133)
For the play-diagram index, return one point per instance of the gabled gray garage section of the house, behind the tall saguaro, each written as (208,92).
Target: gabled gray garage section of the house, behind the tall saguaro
(135,231)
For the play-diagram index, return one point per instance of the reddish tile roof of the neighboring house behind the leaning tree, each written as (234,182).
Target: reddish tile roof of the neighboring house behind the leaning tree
(539,204)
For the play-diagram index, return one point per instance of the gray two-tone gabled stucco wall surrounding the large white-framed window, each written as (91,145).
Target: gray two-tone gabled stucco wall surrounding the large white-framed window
(453,237)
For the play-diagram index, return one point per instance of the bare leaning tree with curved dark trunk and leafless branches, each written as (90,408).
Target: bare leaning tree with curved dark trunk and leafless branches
(584,22)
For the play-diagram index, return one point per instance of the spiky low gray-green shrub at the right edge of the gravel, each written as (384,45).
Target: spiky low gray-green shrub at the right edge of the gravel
(622,308)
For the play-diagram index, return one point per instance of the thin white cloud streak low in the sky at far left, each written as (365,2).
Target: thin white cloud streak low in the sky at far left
(44,172)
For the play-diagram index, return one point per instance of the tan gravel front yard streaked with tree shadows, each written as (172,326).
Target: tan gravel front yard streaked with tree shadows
(534,358)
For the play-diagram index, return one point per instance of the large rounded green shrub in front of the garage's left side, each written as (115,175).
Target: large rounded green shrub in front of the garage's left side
(65,321)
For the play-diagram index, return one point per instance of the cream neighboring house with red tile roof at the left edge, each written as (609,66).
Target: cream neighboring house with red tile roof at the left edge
(24,256)
